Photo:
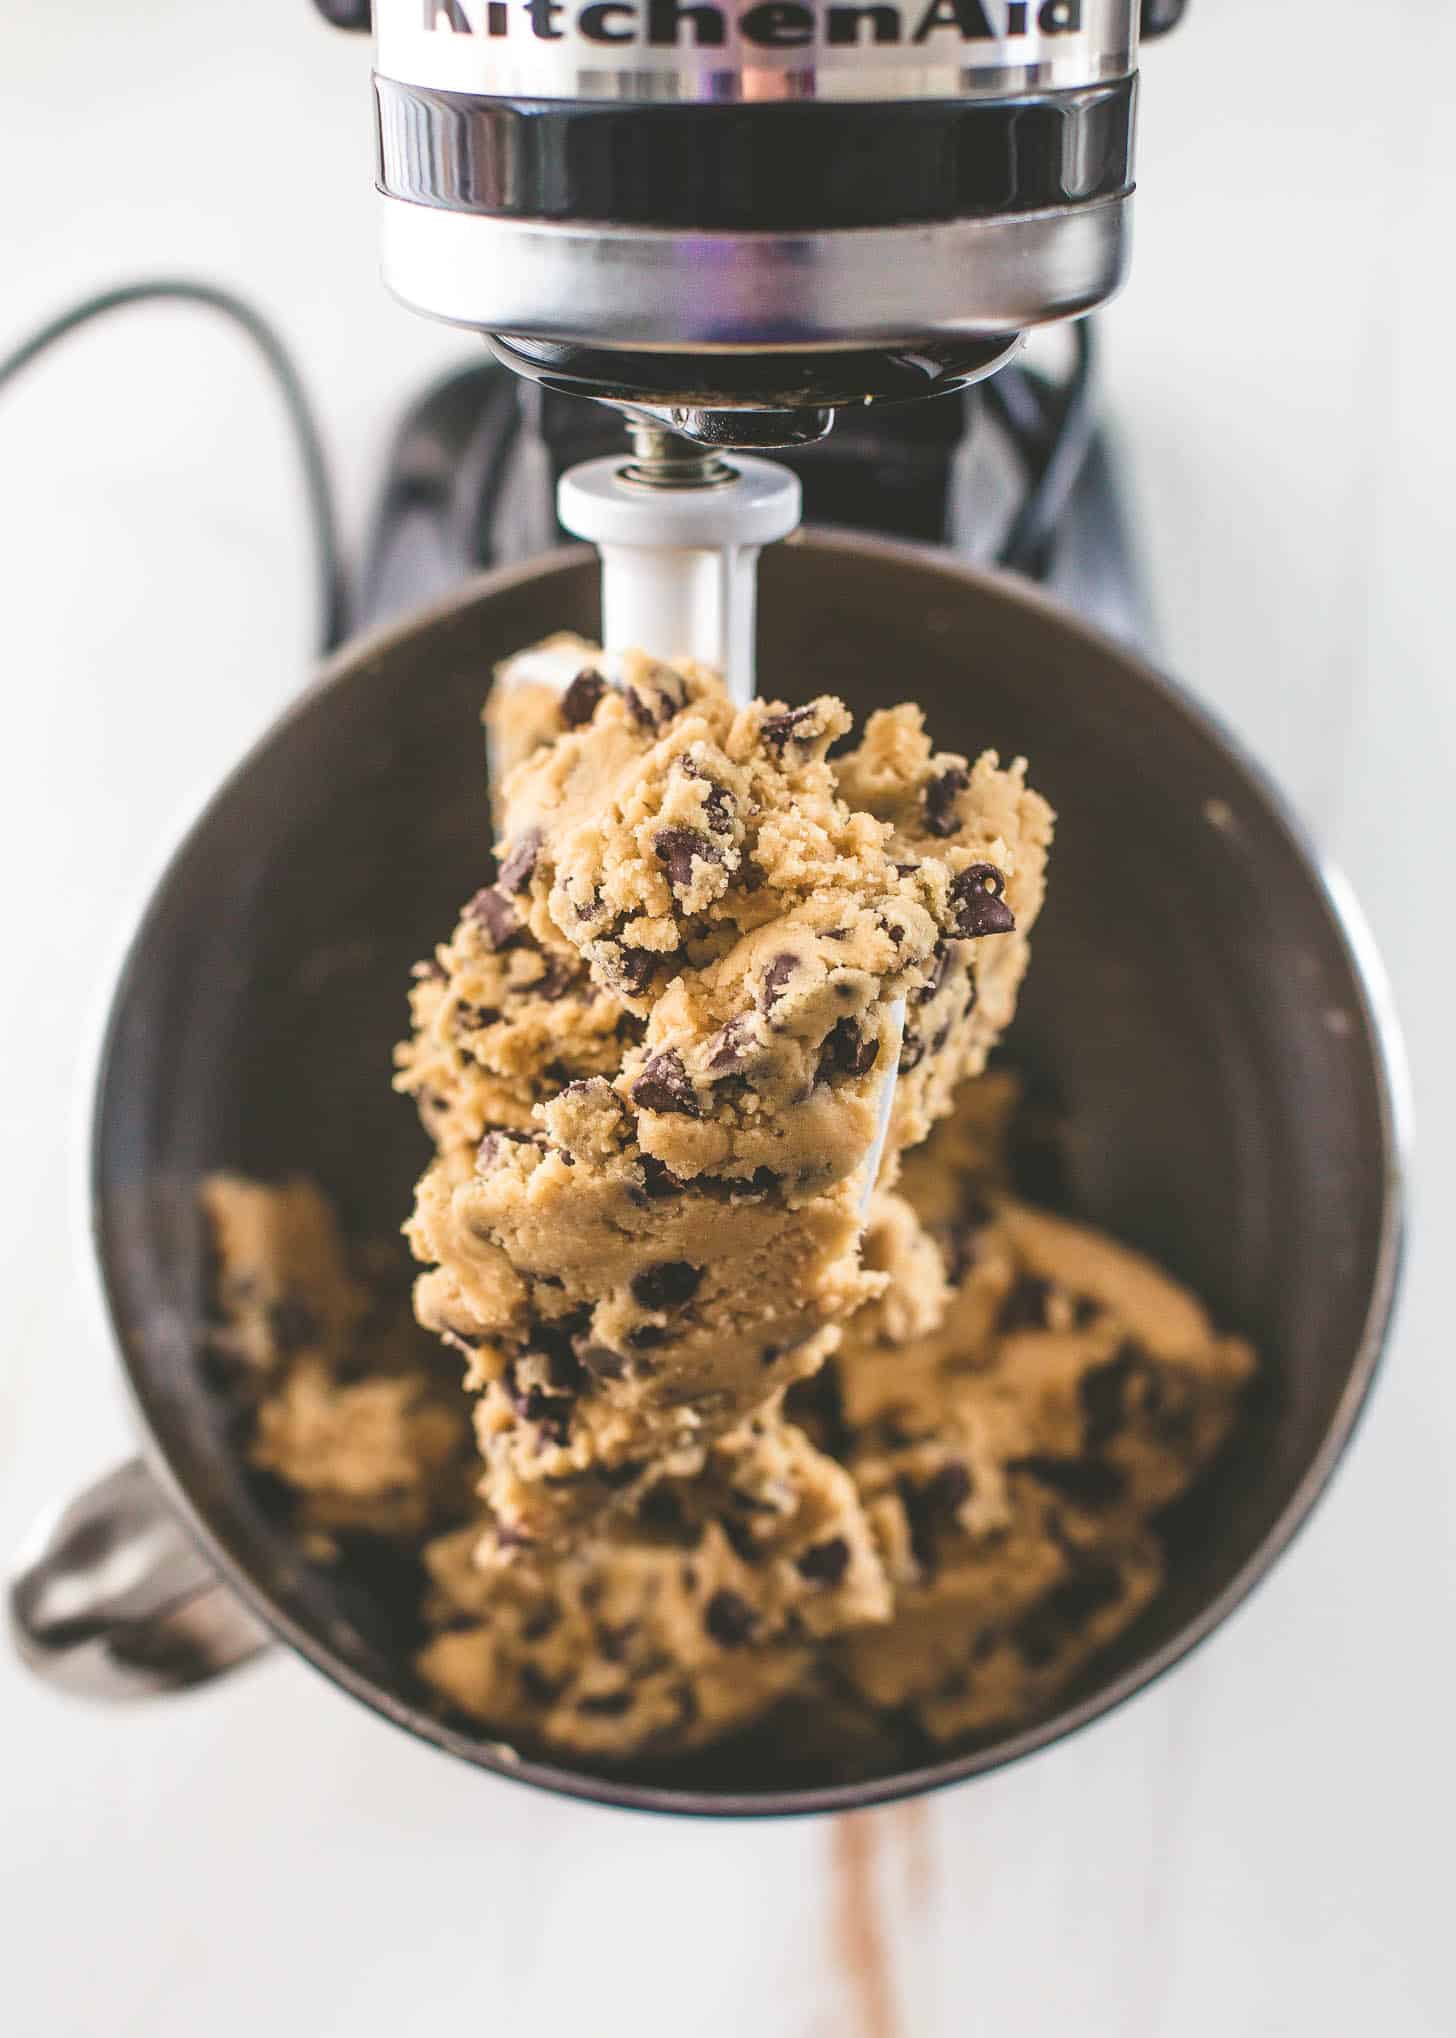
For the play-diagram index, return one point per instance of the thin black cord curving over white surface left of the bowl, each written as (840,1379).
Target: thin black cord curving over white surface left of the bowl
(333,594)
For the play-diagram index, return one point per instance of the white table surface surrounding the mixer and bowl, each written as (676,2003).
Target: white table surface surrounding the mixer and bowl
(1261,1845)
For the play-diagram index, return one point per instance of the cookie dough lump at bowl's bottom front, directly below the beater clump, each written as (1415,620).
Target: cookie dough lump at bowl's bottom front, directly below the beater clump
(672,1627)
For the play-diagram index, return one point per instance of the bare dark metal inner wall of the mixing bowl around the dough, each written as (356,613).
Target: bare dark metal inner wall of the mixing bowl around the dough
(1198,1008)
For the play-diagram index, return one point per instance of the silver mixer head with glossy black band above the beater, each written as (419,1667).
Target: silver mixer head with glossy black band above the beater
(743,215)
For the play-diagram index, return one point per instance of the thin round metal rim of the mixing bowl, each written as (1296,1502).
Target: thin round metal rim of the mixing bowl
(1390,1073)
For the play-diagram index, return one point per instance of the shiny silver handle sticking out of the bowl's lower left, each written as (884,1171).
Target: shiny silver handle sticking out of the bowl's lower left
(115,1601)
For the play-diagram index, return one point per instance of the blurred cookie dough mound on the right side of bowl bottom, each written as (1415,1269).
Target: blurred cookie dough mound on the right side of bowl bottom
(1012,1458)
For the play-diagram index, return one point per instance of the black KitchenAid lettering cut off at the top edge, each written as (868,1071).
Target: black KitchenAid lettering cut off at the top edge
(768,23)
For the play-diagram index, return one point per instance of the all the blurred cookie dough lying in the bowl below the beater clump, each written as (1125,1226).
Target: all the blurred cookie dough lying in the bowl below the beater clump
(929,1540)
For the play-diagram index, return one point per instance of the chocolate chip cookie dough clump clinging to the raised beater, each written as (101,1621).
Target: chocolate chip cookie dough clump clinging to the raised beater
(652,1059)
